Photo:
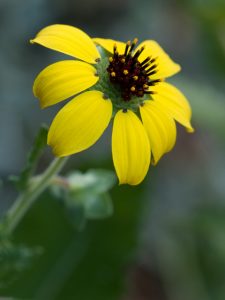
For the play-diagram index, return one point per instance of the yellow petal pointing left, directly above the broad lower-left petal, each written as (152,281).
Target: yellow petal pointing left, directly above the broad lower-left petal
(62,80)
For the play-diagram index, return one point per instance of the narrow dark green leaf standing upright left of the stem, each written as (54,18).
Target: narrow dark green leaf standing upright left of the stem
(22,180)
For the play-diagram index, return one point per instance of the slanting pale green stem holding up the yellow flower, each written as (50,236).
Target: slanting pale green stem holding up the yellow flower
(29,196)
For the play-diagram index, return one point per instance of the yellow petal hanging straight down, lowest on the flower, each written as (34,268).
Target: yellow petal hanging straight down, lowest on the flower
(130,148)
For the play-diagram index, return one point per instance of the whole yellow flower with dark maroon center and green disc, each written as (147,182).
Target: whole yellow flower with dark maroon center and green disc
(123,82)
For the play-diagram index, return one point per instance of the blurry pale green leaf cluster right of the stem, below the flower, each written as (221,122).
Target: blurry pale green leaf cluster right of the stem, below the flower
(85,196)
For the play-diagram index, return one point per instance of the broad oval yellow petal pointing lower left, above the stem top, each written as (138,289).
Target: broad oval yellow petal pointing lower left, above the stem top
(80,123)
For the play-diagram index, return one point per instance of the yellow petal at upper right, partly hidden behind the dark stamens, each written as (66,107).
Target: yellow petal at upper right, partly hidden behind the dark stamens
(166,67)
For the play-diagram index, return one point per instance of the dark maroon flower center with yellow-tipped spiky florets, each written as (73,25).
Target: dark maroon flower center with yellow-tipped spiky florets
(132,76)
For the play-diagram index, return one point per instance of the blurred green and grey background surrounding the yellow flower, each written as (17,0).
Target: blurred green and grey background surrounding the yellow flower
(166,238)
